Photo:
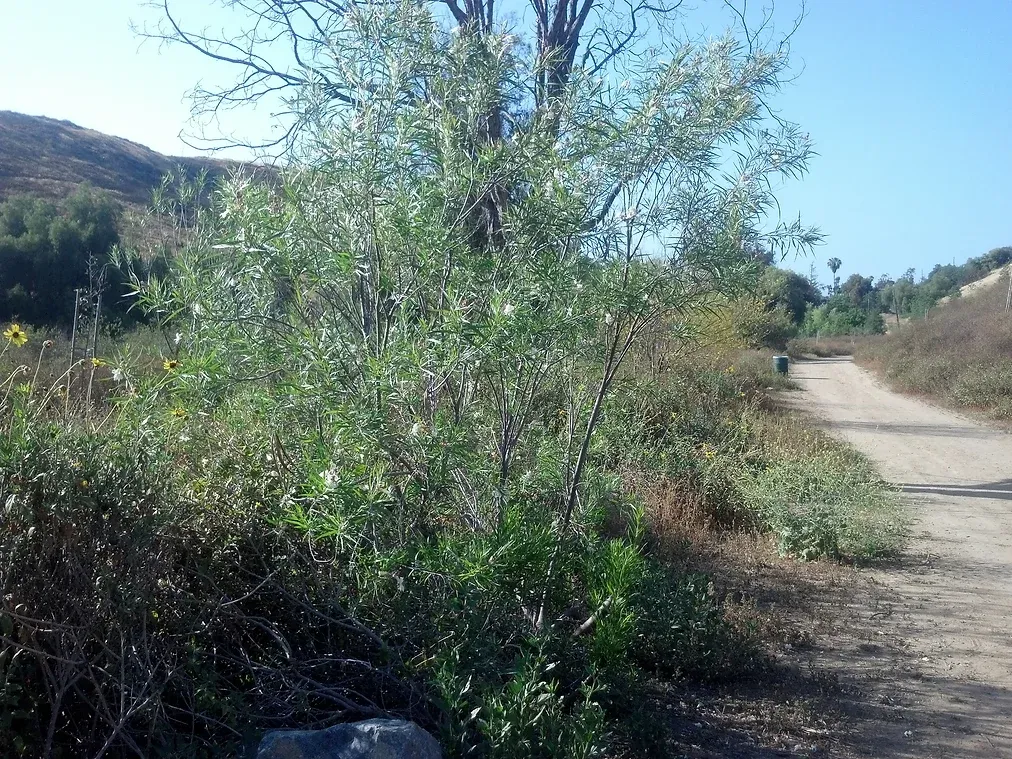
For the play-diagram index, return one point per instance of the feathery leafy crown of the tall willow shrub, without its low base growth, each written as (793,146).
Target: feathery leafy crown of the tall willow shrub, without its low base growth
(442,291)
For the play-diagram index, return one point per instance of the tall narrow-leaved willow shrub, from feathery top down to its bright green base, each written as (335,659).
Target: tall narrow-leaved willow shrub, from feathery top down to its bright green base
(429,313)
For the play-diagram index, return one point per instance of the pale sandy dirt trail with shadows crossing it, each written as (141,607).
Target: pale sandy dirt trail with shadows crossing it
(934,636)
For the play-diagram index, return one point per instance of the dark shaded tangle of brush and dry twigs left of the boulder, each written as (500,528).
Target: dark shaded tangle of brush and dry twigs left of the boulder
(160,622)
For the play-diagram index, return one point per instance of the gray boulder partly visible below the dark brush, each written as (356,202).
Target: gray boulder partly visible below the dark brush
(373,739)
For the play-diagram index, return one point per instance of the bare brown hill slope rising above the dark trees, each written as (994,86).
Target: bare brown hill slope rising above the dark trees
(49,158)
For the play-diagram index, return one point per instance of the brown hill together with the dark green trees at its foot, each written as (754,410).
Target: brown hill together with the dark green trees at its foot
(70,198)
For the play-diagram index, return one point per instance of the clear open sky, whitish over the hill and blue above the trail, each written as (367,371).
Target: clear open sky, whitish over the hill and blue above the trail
(909,105)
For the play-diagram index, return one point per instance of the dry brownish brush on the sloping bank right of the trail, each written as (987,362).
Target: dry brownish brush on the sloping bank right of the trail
(961,354)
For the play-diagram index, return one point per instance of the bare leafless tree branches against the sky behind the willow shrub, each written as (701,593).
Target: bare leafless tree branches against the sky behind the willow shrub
(283,50)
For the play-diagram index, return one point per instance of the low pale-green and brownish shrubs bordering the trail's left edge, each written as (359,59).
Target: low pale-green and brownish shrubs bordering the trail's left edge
(712,431)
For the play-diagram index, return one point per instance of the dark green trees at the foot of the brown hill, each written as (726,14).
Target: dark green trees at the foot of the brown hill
(50,249)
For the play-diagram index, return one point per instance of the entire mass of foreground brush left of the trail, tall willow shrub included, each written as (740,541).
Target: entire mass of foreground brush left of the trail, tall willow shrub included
(426,416)
